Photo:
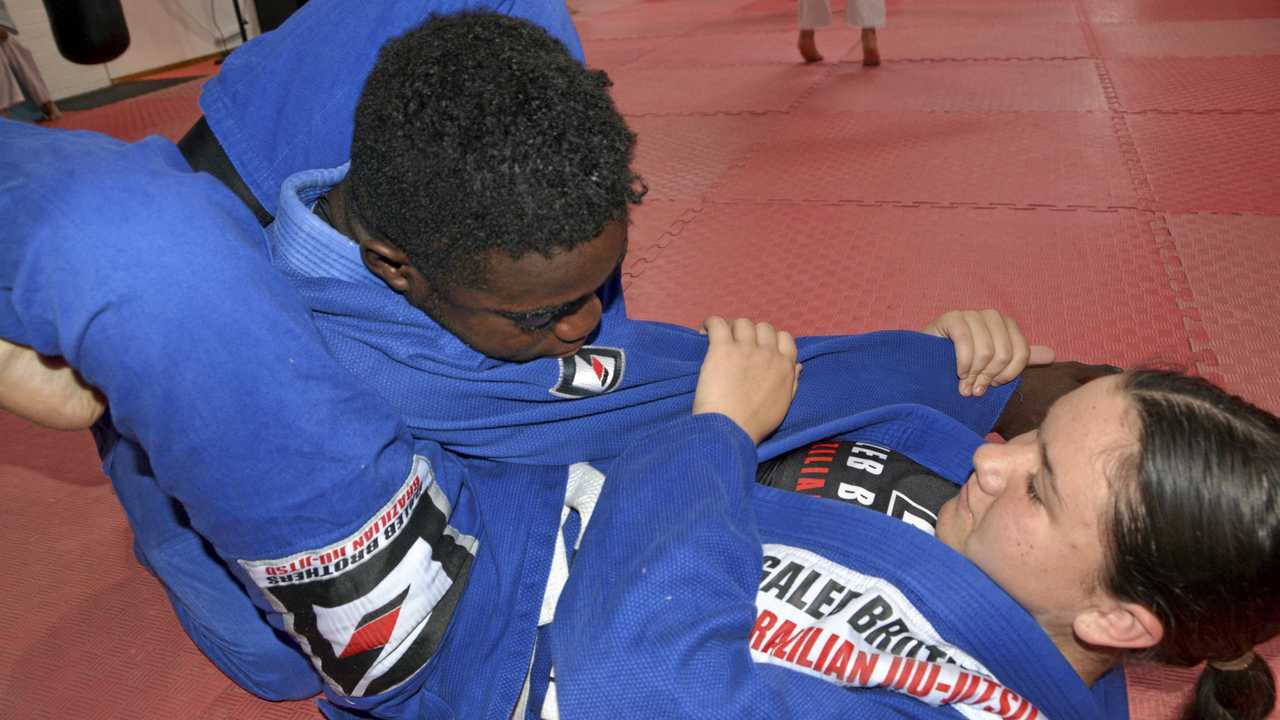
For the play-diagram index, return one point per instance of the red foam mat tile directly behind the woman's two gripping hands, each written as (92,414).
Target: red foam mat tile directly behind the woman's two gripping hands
(1091,285)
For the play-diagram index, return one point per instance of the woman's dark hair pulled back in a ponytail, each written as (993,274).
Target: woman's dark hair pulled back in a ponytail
(1196,537)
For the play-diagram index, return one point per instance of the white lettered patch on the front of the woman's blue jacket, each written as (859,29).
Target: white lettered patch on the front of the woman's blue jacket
(860,631)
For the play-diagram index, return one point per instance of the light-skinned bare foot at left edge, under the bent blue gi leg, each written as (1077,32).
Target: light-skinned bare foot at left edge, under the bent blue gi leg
(45,391)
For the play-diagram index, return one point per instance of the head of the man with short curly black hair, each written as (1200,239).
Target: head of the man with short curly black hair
(491,183)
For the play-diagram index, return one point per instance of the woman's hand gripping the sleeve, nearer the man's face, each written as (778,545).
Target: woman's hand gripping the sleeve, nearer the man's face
(749,375)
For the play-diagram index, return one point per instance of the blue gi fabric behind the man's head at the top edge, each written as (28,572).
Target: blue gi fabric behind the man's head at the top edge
(286,101)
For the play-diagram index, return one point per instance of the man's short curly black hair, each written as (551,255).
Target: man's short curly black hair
(479,133)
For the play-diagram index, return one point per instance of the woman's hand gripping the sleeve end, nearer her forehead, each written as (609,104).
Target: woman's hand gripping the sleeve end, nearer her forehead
(990,348)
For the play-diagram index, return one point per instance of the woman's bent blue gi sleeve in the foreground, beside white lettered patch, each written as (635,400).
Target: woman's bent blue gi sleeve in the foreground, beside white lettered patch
(656,617)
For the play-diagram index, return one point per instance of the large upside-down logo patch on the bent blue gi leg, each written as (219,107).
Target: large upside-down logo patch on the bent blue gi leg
(372,609)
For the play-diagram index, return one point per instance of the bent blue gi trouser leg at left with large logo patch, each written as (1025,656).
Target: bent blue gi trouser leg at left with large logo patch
(153,282)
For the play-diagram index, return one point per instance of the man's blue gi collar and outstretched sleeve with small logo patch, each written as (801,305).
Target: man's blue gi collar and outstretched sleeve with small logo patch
(477,405)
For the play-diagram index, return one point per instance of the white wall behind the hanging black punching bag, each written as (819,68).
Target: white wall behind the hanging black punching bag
(162,33)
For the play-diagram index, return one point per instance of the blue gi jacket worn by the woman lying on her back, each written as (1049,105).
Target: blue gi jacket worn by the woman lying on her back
(666,613)
